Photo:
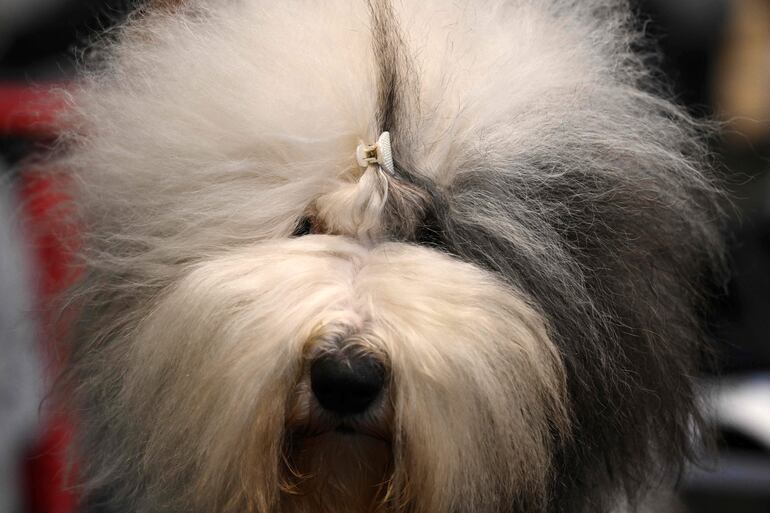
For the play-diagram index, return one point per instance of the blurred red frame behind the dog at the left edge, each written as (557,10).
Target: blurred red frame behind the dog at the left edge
(28,113)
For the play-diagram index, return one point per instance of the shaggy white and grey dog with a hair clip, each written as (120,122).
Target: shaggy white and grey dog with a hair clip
(275,318)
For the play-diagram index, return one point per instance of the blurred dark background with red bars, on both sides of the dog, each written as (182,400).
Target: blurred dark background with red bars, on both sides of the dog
(715,54)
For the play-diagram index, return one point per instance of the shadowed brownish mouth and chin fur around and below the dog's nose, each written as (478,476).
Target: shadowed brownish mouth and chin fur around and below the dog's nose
(331,462)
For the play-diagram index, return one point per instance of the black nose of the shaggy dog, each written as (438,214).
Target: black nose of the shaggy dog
(346,384)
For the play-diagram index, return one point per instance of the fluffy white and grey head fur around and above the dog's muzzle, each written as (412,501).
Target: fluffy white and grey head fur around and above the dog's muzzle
(526,143)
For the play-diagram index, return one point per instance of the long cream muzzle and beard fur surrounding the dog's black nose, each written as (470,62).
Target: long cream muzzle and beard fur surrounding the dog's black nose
(217,384)
